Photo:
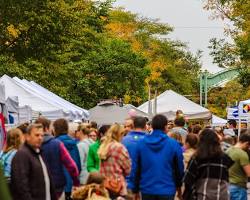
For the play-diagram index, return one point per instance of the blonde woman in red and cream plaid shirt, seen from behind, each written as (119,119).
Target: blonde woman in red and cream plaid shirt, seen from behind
(115,161)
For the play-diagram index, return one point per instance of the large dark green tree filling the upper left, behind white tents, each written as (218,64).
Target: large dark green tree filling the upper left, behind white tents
(63,46)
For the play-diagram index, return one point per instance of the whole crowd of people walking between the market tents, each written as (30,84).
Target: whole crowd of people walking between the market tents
(140,159)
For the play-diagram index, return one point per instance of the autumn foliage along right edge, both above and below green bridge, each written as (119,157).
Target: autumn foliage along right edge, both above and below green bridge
(235,54)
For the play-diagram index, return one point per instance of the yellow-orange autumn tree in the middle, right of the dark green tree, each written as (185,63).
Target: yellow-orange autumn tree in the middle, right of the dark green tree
(170,65)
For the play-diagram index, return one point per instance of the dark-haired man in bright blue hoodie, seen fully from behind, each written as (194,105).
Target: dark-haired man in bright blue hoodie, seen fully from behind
(158,169)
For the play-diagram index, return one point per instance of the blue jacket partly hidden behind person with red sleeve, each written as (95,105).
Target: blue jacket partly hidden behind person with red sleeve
(71,146)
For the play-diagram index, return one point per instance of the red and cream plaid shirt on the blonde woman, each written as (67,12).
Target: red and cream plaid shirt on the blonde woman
(118,164)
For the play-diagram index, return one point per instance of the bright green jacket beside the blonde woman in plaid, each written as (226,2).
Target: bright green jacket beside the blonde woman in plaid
(93,161)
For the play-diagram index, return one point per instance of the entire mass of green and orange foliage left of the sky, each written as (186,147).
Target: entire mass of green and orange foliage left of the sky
(86,51)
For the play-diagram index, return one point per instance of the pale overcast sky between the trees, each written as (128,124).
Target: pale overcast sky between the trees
(192,24)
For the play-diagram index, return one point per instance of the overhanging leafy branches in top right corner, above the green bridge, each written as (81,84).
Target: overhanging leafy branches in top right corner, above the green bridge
(238,13)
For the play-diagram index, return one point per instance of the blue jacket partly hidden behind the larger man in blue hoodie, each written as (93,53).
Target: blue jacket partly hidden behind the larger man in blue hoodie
(130,141)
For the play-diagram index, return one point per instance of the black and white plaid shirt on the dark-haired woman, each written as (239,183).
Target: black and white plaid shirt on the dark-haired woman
(207,179)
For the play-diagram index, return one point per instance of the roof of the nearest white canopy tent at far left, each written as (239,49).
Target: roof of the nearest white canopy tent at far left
(38,101)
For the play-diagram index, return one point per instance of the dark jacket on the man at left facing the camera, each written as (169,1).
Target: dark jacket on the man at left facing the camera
(27,179)
